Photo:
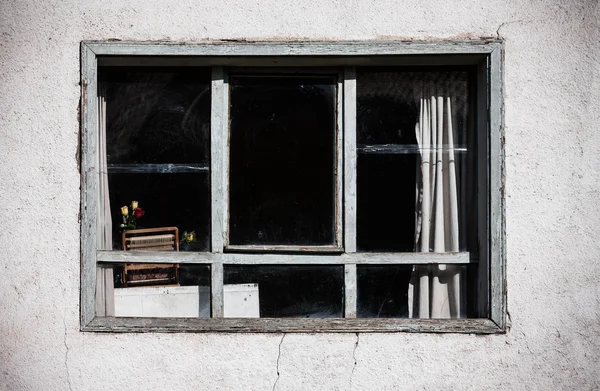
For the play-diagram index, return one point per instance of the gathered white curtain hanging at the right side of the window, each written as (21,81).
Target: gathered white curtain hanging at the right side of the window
(436,290)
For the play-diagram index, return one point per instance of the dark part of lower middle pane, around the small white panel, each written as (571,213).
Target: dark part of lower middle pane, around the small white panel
(294,291)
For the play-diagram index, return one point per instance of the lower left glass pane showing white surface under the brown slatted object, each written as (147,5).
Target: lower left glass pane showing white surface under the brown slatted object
(160,290)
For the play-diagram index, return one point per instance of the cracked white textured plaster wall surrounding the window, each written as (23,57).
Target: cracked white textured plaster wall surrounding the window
(552,102)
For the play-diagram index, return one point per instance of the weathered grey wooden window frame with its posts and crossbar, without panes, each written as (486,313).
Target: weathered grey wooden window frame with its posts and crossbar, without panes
(485,55)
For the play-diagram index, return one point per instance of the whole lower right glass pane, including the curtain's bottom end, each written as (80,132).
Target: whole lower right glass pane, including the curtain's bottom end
(417,291)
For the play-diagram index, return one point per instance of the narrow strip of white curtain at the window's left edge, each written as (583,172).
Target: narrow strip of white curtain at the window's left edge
(105,305)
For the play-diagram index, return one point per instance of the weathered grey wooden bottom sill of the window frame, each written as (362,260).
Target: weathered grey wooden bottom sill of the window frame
(270,325)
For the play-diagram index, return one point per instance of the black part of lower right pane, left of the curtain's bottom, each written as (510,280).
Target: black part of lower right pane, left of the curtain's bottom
(383,291)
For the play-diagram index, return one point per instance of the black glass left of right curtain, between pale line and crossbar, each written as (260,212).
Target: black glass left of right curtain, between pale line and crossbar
(386,202)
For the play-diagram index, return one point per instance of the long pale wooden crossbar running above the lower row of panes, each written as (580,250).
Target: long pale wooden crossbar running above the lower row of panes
(285,259)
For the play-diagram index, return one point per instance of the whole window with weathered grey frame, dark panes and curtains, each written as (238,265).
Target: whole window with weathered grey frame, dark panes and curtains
(298,187)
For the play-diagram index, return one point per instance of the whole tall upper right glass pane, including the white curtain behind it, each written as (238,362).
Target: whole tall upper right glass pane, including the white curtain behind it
(413,128)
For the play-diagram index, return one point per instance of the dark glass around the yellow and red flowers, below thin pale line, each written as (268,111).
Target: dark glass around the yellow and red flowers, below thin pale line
(168,200)
